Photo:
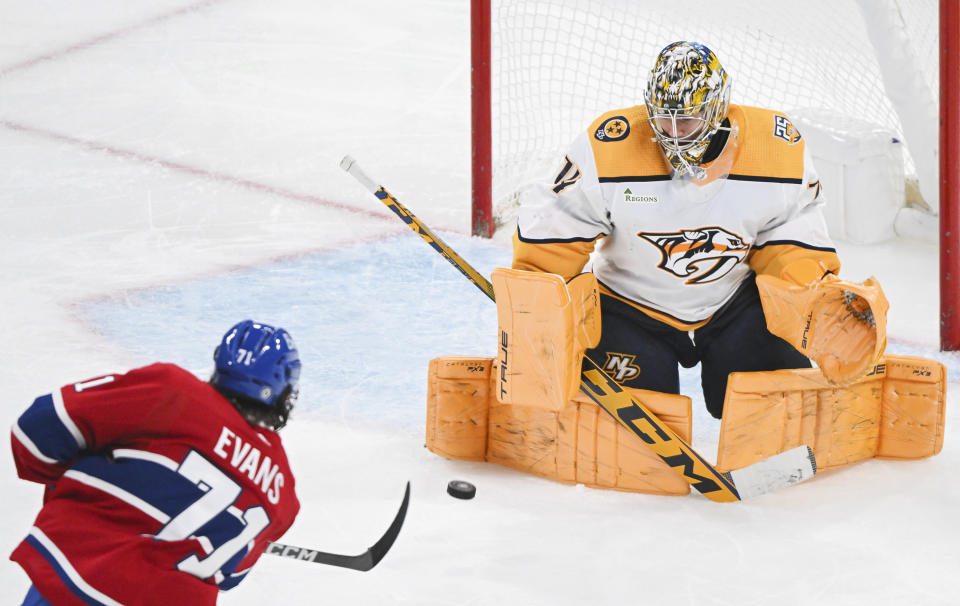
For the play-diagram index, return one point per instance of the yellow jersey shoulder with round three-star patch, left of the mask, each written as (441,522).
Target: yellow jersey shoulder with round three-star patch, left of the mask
(624,146)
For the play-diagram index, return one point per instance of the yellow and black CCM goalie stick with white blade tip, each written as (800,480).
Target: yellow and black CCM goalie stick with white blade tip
(773,473)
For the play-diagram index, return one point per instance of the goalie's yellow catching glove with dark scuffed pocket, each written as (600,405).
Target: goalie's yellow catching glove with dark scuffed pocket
(839,325)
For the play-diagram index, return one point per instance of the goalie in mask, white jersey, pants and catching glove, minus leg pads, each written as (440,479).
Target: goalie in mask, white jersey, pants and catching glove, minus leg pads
(684,205)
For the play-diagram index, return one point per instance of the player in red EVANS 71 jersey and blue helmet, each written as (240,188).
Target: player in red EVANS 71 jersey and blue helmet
(161,488)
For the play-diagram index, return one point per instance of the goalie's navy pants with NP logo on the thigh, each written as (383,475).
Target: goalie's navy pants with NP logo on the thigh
(638,351)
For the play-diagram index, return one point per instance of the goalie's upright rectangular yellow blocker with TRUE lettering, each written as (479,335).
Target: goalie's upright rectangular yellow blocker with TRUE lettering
(546,325)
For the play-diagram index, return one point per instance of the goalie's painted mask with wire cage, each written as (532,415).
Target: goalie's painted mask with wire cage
(687,96)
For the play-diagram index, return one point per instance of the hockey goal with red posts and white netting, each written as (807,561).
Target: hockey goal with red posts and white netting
(542,70)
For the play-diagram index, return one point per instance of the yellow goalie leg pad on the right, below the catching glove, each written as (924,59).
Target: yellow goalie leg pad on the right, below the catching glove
(895,412)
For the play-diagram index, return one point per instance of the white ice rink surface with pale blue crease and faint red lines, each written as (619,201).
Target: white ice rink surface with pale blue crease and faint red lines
(166,170)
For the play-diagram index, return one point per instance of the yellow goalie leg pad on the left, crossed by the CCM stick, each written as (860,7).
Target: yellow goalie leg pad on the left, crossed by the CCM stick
(578,444)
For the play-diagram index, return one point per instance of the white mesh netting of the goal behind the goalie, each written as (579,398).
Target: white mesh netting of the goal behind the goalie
(557,64)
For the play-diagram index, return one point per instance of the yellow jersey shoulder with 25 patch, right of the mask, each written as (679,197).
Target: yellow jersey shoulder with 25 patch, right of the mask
(770,146)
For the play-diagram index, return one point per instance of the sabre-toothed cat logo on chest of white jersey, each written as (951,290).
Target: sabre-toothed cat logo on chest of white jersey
(701,255)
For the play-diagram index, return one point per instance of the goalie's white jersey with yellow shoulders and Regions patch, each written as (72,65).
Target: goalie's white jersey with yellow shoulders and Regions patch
(674,248)
